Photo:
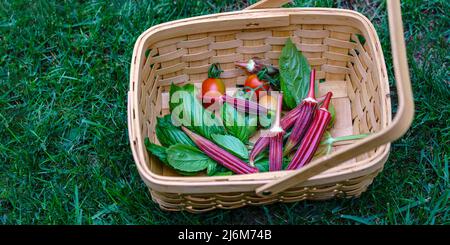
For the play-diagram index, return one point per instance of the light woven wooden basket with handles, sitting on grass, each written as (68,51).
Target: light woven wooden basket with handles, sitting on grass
(181,51)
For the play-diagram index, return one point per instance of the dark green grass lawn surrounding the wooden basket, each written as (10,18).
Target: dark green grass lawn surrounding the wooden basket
(64,151)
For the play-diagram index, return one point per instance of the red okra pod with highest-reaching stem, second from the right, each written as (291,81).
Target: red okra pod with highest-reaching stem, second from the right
(305,117)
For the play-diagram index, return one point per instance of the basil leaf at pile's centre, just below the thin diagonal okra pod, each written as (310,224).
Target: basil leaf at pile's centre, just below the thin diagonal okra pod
(238,124)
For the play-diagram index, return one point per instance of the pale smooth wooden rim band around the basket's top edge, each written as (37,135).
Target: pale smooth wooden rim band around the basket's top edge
(166,183)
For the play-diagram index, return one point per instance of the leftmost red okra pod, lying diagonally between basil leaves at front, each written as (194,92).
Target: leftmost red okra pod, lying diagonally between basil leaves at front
(220,155)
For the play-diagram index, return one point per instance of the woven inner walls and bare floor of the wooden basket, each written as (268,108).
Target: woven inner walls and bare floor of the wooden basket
(341,54)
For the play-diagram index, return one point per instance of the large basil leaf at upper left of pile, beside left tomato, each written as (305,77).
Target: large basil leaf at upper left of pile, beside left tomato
(186,110)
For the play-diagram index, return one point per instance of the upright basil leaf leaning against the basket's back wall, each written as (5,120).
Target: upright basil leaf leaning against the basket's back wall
(294,74)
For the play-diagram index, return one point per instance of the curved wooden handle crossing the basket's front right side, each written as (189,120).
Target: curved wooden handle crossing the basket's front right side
(398,127)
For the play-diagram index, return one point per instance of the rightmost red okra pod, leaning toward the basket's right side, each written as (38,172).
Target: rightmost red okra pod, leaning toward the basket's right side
(311,141)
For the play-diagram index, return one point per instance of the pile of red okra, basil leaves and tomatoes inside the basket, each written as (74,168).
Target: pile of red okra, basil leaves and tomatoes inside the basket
(212,132)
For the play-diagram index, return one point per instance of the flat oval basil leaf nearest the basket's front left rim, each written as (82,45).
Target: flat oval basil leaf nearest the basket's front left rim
(187,158)
